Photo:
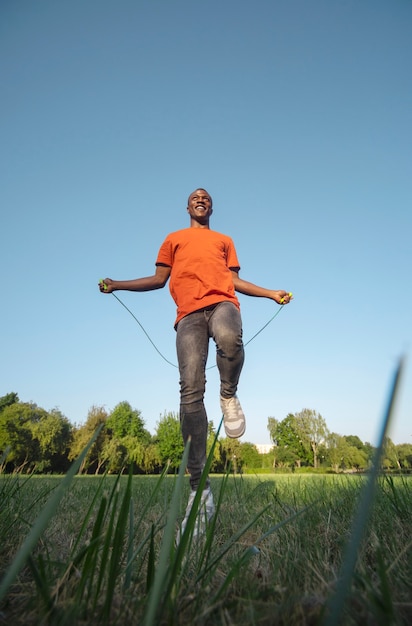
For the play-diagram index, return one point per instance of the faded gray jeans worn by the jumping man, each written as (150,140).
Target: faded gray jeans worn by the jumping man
(223,324)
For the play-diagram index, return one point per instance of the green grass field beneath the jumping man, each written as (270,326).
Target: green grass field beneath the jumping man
(274,553)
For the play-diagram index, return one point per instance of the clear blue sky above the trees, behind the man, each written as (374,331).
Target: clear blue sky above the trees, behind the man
(294,115)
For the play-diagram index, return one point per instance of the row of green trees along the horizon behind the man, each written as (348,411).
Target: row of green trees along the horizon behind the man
(33,439)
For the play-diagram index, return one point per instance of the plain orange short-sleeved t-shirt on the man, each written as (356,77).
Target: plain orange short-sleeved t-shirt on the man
(201,260)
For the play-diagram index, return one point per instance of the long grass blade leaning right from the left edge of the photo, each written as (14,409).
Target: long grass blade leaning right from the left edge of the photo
(42,521)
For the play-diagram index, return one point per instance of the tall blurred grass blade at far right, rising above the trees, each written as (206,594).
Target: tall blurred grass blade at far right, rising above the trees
(335,606)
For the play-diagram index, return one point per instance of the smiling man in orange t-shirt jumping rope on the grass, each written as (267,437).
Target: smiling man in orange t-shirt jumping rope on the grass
(203,268)
